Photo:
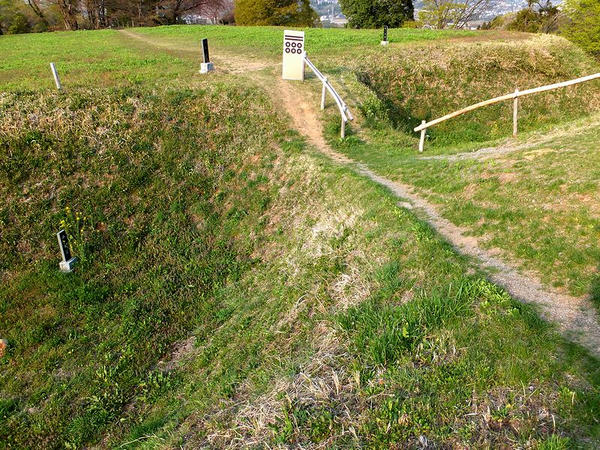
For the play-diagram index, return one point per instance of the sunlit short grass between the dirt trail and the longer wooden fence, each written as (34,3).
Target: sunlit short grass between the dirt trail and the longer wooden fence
(552,229)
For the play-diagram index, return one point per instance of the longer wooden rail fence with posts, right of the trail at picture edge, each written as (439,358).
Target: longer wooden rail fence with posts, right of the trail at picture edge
(514,96)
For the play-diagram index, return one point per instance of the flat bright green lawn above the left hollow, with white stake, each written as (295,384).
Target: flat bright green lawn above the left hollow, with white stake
(83,59)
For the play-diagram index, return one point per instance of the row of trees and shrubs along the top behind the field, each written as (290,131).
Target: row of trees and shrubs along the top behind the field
(579,20)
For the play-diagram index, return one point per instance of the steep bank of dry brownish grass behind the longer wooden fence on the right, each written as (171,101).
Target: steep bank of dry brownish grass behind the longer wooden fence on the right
(425,82)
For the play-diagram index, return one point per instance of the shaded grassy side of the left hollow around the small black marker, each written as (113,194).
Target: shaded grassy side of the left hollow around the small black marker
(134,181)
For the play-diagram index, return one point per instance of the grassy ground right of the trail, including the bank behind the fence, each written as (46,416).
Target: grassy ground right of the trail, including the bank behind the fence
(553,228)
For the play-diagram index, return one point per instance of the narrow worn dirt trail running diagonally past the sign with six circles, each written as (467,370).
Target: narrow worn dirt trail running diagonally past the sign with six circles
(575,317)
